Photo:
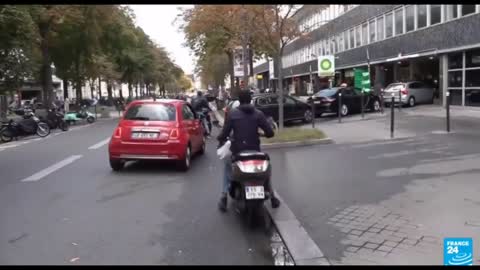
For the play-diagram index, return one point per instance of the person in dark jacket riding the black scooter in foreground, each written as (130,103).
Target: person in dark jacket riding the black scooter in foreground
(244,121)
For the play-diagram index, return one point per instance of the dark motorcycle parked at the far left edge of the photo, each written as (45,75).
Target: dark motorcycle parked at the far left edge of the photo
(29,125)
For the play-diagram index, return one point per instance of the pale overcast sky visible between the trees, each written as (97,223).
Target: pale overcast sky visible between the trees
(156,21)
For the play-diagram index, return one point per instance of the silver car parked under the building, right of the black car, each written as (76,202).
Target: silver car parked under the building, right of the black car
(411,93)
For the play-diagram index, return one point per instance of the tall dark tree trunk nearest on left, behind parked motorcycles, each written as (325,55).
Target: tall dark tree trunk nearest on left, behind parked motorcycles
(46,69)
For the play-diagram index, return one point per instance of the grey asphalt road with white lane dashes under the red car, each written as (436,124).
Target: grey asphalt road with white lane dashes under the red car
(62,204)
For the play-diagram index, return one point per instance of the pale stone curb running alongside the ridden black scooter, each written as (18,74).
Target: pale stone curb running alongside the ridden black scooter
(301,247)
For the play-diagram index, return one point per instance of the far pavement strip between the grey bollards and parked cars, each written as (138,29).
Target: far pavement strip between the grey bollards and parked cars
(409,122)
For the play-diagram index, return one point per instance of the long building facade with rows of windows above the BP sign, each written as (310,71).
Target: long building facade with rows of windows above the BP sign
(437,44)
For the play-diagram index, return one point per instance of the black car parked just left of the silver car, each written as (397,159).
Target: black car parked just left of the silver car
(326,101)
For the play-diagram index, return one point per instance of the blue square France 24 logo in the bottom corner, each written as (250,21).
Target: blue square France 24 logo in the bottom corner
(458,251)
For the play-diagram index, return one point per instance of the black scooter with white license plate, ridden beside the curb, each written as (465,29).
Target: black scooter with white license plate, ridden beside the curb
(251,171)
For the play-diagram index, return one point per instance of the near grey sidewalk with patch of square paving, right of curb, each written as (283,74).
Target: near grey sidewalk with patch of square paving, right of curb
(384,203)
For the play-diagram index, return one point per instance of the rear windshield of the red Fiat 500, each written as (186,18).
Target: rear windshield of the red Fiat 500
(151,112)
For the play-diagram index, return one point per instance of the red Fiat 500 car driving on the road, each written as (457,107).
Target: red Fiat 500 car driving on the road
(157,130)
